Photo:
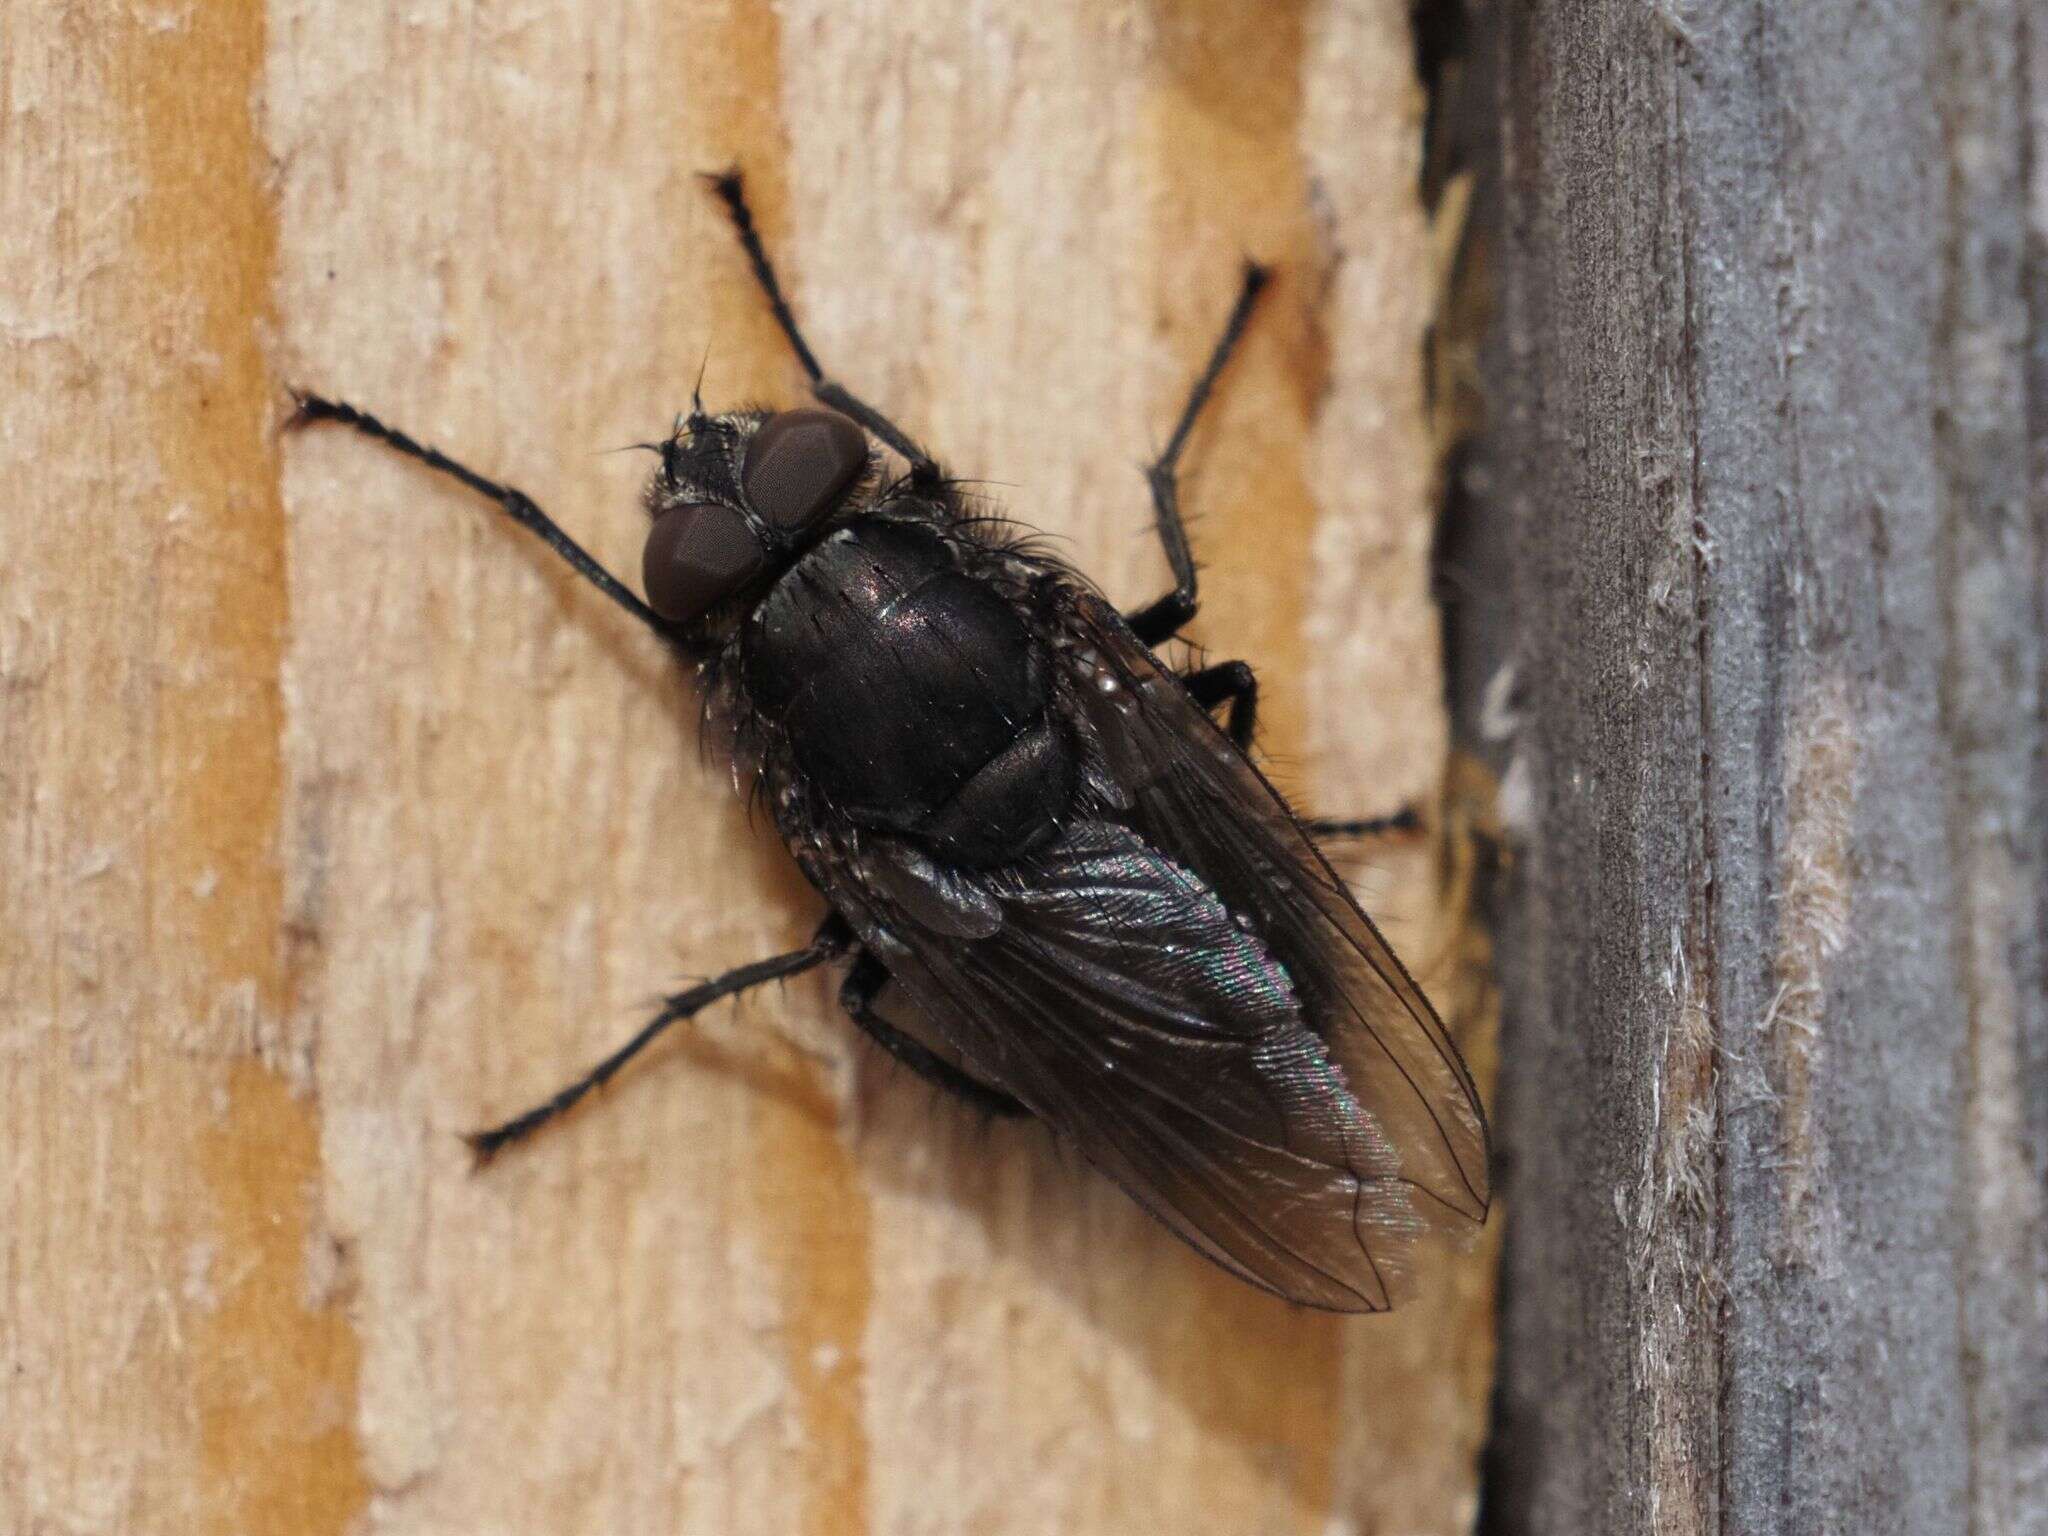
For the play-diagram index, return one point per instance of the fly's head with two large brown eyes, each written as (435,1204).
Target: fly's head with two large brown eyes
(738,499)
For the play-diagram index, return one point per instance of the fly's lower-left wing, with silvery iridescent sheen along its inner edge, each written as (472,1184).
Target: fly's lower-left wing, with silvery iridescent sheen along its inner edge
(1129,1011)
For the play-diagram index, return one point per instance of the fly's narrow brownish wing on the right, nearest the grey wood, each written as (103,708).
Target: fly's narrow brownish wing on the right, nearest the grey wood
(1197,796)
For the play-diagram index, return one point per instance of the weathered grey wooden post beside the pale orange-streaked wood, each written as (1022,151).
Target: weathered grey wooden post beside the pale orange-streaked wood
(1777,1119)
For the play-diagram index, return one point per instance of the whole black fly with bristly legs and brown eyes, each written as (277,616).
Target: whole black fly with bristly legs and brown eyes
(1035,837)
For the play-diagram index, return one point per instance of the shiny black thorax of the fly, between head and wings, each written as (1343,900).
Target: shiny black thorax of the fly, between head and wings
(912,695)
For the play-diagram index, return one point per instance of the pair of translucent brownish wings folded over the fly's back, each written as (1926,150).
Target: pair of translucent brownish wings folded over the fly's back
(1185,990)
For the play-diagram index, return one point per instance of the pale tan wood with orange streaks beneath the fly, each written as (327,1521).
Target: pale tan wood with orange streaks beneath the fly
(337,820)
